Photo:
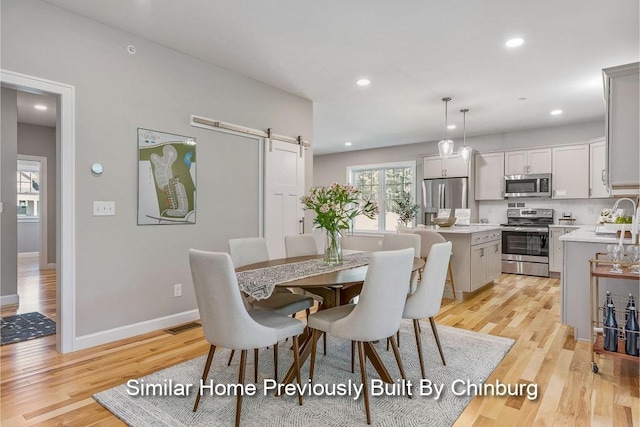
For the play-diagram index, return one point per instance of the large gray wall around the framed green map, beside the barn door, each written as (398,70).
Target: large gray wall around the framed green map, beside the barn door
(125,273)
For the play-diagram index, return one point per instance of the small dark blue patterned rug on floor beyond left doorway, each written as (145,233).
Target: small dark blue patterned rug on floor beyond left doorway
(23,327)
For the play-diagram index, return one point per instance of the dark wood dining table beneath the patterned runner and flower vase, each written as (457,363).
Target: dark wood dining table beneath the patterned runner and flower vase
(336,288)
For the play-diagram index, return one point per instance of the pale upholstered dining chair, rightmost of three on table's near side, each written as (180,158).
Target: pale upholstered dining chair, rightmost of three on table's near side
(426,300)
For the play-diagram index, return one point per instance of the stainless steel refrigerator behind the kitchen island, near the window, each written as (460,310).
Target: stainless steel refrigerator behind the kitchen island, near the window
(445,193)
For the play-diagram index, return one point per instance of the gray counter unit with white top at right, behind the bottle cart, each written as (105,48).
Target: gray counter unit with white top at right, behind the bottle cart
(579,247)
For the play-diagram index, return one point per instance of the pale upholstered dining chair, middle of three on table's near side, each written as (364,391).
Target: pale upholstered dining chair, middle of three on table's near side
(377,315)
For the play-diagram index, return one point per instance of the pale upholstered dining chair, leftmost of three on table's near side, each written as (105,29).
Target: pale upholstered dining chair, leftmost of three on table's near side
(226,321)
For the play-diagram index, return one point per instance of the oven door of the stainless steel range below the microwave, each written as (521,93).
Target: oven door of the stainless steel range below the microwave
(526,241)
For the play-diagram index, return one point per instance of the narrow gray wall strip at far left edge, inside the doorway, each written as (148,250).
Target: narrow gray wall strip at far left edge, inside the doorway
(8,169)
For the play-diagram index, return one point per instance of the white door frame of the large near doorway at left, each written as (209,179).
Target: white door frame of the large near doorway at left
(65,204)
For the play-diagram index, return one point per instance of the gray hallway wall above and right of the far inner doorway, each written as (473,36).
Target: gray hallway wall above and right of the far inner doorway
(41,141)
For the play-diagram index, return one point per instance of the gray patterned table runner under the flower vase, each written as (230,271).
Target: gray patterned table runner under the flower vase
(259,283)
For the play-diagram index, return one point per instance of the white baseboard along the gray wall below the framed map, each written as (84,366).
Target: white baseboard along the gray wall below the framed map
(123,332)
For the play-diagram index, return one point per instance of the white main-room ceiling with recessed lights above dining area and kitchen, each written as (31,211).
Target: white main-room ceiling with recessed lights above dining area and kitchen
(414,51)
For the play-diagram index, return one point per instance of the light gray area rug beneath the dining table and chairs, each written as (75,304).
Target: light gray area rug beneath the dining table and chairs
(471,357)
